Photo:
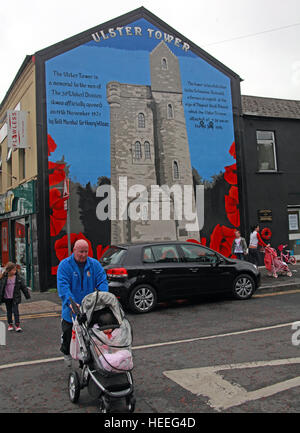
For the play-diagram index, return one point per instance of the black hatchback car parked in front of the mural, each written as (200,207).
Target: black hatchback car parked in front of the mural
(143,274)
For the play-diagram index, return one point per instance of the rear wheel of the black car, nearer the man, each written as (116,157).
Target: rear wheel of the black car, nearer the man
(142,299)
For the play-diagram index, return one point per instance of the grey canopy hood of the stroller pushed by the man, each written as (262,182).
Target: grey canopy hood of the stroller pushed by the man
(99,300)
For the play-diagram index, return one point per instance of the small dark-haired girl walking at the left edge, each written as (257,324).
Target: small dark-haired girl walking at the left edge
(11,285)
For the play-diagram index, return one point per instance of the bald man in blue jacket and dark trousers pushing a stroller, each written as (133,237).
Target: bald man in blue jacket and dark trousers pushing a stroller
(77,276)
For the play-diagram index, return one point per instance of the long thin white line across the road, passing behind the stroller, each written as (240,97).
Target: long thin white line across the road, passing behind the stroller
(166,343)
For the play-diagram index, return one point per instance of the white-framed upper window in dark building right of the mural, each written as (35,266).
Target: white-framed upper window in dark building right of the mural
(266,151)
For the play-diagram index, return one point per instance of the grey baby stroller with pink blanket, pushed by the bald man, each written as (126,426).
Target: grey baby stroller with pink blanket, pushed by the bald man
(101,341)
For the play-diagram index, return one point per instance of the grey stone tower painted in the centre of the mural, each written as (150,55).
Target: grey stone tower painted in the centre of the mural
(149,147)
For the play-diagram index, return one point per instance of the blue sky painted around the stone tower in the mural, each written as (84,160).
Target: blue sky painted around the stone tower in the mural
(86,149)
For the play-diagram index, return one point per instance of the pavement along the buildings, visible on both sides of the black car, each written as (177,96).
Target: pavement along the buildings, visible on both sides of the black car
(49,303)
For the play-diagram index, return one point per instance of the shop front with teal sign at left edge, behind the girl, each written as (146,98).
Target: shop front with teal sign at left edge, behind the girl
(18,230)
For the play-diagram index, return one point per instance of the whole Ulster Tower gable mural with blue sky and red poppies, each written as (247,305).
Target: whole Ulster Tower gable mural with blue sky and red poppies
(139,140)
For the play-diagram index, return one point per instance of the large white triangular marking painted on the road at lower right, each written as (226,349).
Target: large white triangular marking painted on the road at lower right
(221,393)
